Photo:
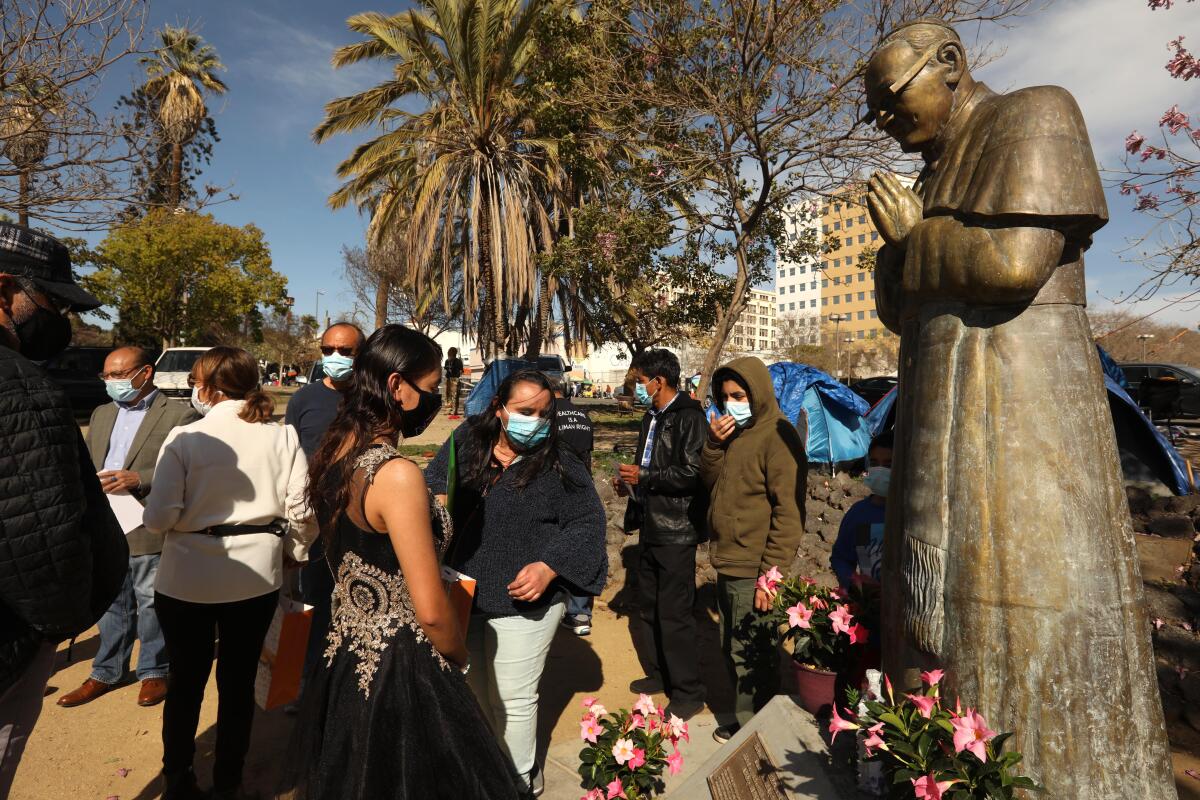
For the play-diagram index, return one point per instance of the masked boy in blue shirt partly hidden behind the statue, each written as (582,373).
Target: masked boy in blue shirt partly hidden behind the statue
(860,545)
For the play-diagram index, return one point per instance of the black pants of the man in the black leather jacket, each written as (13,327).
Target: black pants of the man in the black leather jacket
(667,590)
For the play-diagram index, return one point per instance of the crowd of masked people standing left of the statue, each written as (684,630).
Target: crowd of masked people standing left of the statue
(230,502)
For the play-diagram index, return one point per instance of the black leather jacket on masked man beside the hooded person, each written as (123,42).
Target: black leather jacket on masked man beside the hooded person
(670,504)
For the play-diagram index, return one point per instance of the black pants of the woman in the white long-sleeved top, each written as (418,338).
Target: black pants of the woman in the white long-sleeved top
(191,631)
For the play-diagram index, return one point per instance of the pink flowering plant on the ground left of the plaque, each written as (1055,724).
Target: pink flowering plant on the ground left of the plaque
(627,751)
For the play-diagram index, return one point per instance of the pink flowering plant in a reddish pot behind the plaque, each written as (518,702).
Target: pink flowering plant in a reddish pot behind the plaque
(820,628)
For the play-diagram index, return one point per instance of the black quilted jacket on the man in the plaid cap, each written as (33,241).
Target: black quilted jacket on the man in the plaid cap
(63,556)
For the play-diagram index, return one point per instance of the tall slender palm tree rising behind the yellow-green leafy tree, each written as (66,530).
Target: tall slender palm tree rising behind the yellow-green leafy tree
(179,73)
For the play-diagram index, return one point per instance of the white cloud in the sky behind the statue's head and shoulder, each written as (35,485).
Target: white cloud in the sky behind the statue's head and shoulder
(1108,53)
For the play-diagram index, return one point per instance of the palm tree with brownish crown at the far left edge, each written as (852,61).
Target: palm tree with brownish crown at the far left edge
(25,137)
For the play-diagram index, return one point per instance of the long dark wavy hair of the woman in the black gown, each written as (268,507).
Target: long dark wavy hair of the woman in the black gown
(368,412)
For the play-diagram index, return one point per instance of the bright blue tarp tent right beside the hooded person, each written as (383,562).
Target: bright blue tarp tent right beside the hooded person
(838,431)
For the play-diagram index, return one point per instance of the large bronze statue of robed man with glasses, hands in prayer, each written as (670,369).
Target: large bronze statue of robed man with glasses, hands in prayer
(1010,556)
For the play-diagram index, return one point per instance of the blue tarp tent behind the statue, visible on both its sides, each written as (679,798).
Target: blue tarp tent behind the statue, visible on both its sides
(1147,455)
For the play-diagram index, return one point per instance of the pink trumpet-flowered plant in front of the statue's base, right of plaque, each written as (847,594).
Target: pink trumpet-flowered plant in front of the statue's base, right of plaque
(931,753)
